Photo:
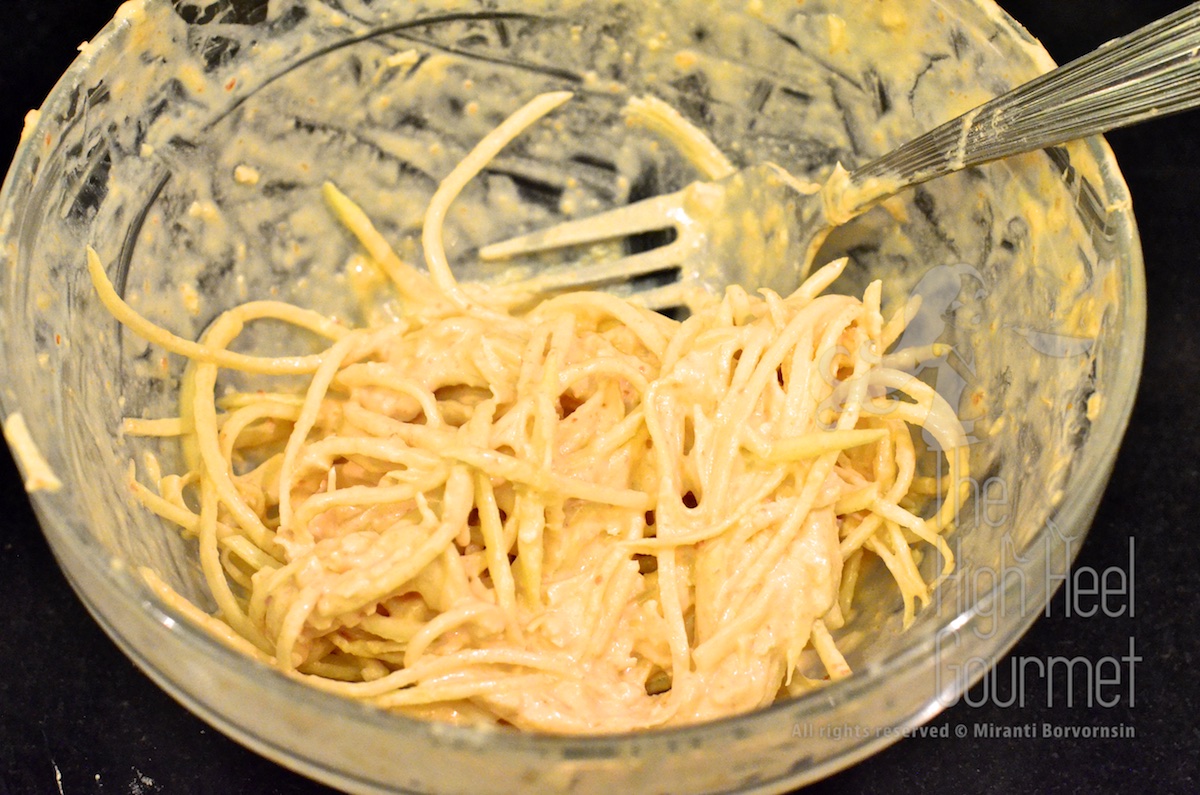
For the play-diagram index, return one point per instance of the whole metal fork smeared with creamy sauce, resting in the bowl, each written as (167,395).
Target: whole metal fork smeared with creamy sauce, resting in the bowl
(760,228)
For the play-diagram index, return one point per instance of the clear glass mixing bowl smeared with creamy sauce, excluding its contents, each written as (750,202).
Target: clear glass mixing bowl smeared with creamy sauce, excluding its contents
(189,147)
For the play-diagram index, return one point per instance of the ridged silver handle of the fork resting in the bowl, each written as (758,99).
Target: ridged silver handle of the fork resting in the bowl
(1151,73)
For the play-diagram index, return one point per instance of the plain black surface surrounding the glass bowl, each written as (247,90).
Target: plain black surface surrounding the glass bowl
(76,716)
